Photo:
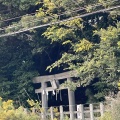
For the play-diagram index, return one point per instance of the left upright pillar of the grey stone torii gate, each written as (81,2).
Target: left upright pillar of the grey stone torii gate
(44,99)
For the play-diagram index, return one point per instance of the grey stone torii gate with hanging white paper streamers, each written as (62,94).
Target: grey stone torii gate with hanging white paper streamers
(54,80)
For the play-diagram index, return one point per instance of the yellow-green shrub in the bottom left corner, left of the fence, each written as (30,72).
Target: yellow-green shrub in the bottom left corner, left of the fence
(8,112)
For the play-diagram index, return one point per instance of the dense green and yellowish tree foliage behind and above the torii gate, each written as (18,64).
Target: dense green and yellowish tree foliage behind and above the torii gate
(90,45)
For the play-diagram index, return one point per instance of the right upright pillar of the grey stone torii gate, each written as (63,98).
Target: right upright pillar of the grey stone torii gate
(71,98)
